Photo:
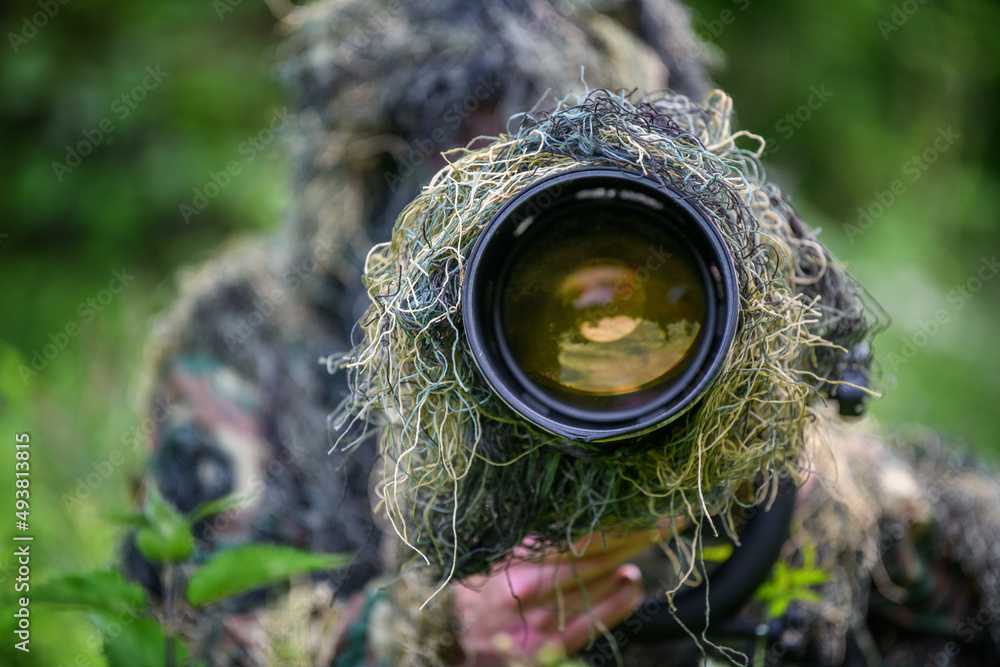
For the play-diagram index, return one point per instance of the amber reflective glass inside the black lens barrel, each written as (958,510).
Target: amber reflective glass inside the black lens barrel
(603,303)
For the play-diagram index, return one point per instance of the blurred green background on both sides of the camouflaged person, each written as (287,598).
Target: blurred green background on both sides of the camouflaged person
(852,97)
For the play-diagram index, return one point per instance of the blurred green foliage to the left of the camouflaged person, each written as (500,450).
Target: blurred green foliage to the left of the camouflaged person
(63,233)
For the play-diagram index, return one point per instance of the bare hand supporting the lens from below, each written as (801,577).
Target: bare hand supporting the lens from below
(537,611)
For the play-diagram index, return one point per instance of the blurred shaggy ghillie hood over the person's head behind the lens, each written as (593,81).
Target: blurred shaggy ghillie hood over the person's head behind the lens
(383,86)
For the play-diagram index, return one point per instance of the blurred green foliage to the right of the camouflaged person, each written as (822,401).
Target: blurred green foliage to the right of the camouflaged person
(895,76)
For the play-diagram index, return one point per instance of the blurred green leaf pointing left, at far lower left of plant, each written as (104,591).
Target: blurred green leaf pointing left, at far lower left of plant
(99,591)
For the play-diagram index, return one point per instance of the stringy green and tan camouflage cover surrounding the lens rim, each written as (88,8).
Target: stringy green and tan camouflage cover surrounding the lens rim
(466,479)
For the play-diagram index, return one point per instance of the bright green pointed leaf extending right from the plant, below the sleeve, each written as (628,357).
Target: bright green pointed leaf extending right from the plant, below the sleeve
(234,571)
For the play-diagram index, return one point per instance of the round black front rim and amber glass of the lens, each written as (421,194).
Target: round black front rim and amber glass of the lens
(599,304)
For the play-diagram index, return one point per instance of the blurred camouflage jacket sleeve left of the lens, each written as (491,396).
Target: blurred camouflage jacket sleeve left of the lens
(237,406)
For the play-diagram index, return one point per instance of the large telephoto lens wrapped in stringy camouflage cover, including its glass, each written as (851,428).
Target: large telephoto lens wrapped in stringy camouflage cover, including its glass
(604,317)
